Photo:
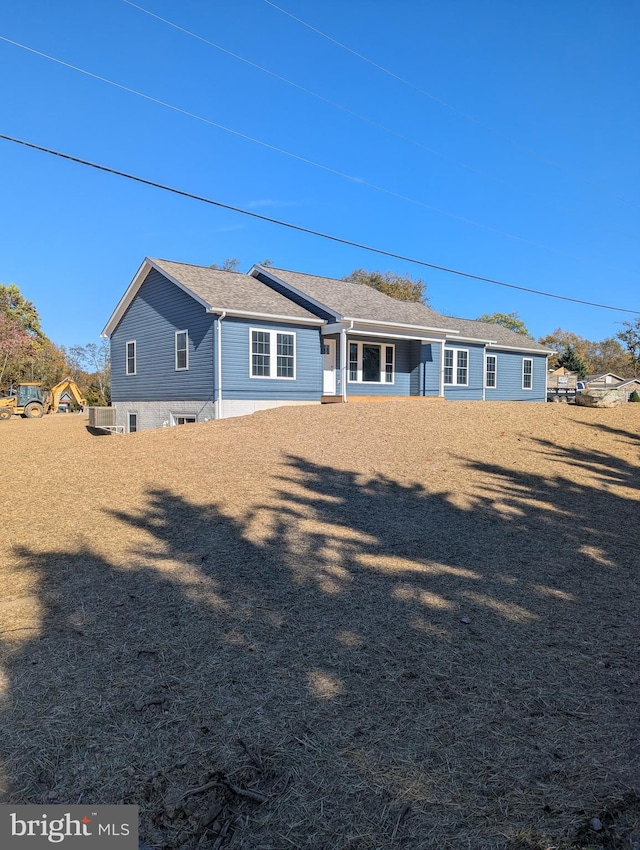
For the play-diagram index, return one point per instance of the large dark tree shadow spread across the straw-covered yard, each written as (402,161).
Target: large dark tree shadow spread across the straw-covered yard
(358,663)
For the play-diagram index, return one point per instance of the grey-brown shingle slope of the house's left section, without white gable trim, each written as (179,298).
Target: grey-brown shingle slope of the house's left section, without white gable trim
(232,291)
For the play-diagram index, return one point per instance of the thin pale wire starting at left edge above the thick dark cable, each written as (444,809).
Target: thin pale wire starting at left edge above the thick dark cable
(305,160)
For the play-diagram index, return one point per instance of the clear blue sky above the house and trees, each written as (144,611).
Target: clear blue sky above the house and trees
(508,148)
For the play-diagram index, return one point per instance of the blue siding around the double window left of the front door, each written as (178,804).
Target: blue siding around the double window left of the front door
(237,382)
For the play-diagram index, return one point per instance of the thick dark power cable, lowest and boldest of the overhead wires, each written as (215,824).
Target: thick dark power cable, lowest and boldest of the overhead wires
(309,231)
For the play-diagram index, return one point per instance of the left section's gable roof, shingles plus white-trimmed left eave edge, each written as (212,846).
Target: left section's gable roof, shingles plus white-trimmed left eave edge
(216,290)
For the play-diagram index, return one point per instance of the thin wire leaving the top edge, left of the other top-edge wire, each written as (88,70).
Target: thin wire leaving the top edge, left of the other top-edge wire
(347,110)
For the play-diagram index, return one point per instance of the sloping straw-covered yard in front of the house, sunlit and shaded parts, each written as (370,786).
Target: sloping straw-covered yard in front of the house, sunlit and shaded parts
(398,625)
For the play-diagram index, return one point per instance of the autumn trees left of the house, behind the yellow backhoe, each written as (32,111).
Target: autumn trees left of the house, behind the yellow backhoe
(27,354)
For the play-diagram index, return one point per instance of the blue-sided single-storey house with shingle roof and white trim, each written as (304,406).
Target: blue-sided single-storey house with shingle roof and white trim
(190,343)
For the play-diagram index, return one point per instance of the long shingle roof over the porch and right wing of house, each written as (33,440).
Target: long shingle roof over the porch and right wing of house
(358,301)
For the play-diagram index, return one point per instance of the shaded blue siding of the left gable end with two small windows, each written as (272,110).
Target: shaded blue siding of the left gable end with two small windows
(159,309)
